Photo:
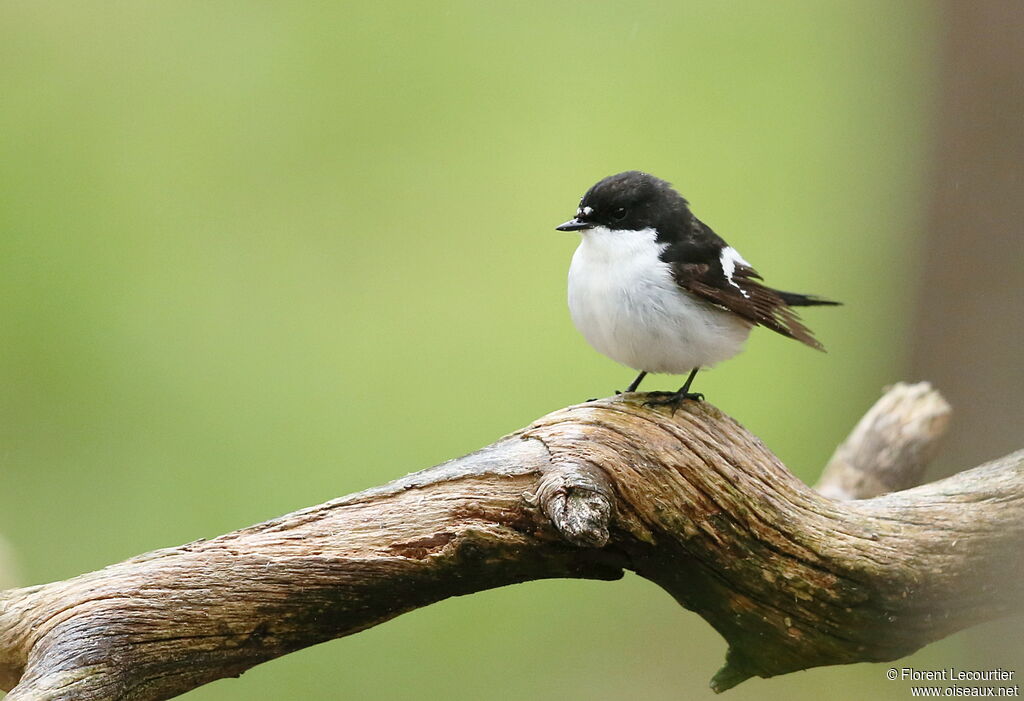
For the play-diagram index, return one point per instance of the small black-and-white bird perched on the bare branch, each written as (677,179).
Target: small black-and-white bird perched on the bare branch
(654,288)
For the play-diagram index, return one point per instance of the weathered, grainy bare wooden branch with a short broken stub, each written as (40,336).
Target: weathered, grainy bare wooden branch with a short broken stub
(692,501)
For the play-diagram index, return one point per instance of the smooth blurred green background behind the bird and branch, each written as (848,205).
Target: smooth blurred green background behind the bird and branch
(259,255)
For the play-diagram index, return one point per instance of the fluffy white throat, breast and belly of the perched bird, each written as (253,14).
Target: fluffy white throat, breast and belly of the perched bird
(625,302)
